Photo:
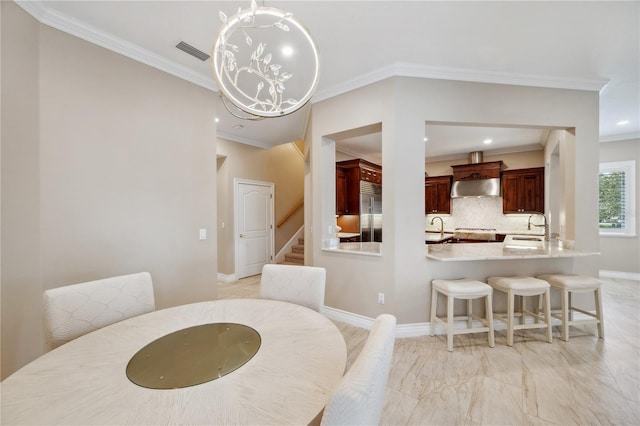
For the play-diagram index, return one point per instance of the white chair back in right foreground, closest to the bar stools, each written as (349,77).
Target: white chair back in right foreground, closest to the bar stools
(359,397)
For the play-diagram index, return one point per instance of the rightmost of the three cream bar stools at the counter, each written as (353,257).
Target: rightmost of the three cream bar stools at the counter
(568,284)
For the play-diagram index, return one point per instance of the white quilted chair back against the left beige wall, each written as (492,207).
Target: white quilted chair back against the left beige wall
(74,310)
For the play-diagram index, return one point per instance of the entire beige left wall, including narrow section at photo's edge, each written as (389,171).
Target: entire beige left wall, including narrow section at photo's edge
(112,172)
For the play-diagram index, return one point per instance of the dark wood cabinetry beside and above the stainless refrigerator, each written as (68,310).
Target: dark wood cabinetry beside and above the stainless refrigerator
(348,176)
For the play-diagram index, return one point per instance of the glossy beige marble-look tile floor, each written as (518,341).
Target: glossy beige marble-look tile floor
(586,381)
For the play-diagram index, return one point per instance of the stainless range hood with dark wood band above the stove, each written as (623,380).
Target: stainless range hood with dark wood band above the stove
(477,179)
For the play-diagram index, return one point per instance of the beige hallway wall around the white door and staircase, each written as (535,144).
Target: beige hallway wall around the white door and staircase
(282,165)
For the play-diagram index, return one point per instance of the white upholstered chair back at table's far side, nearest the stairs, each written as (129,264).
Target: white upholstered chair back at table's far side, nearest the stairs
(303,285)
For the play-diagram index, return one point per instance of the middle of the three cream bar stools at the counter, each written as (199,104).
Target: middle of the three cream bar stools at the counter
(524,287)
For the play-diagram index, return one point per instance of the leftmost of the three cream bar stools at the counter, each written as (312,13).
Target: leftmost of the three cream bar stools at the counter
(462,289)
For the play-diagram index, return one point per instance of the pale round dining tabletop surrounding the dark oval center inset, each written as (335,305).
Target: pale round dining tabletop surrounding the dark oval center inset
(300,360)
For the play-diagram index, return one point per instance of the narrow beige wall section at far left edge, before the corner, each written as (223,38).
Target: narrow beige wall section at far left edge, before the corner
(21,292)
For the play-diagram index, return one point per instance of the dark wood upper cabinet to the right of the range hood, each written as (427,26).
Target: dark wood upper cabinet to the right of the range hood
(523,190)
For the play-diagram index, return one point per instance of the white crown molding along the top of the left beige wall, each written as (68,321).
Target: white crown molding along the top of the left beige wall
(64,23)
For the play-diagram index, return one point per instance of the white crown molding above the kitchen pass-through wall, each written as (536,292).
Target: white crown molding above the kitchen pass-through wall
(403,69)
